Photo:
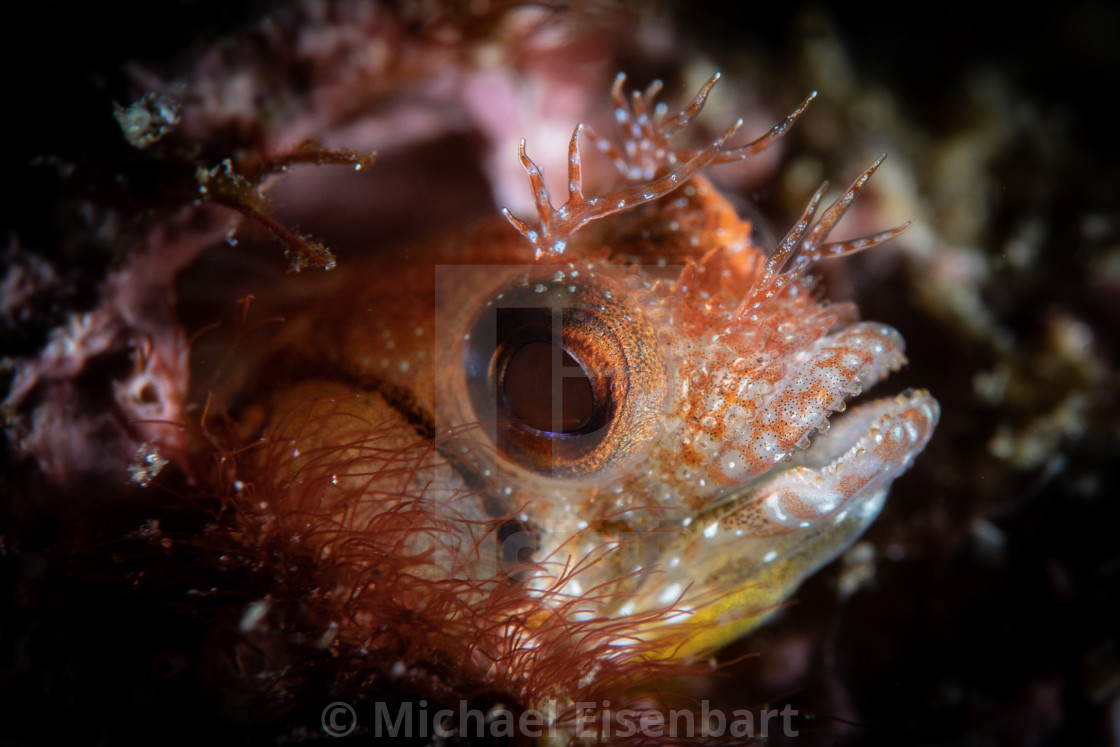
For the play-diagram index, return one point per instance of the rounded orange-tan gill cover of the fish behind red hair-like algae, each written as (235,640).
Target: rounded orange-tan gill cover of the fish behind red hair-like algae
(340,468)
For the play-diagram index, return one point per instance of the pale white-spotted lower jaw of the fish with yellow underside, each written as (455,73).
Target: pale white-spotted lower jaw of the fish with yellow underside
(741,559)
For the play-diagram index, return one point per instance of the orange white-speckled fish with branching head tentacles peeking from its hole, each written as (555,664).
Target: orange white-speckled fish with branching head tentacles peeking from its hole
(553,460)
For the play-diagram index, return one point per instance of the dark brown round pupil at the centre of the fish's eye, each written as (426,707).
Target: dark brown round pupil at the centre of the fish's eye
(547,389)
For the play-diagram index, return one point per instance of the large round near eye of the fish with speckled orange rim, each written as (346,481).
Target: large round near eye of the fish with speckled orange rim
(570,384)
